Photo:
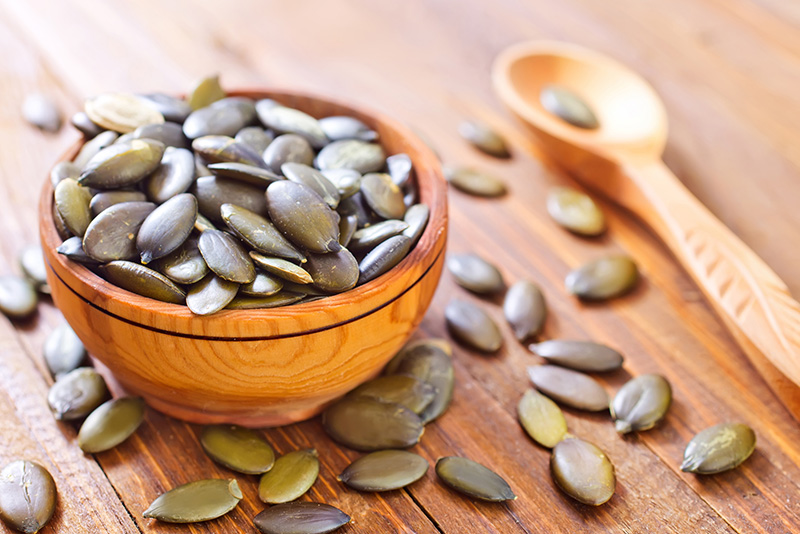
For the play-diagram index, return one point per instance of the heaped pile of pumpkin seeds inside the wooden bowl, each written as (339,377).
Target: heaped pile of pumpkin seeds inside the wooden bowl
(226,202)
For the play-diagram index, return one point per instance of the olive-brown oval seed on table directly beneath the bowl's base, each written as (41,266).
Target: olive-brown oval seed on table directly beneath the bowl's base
(237,448)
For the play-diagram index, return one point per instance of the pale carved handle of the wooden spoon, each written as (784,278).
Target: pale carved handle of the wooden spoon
(751,299)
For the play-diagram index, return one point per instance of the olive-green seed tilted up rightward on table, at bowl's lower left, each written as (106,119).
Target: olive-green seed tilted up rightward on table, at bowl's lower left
(111,424)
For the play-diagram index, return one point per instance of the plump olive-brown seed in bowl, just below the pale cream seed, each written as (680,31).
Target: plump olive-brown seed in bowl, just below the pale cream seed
(122,165)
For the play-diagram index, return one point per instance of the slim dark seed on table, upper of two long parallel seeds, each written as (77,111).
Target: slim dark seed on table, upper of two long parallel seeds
(579,355)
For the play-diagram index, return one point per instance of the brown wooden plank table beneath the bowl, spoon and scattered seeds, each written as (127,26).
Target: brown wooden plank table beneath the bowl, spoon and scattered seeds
(728,72)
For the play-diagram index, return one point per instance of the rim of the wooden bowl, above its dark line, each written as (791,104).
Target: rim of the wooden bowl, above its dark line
(298,319)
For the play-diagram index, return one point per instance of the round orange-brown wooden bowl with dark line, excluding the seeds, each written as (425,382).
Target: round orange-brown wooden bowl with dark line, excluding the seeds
(257,367)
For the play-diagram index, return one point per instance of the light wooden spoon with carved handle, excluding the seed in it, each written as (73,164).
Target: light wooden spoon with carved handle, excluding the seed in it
(622,159)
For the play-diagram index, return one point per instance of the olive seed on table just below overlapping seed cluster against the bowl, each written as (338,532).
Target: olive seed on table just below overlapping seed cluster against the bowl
(384,471)
